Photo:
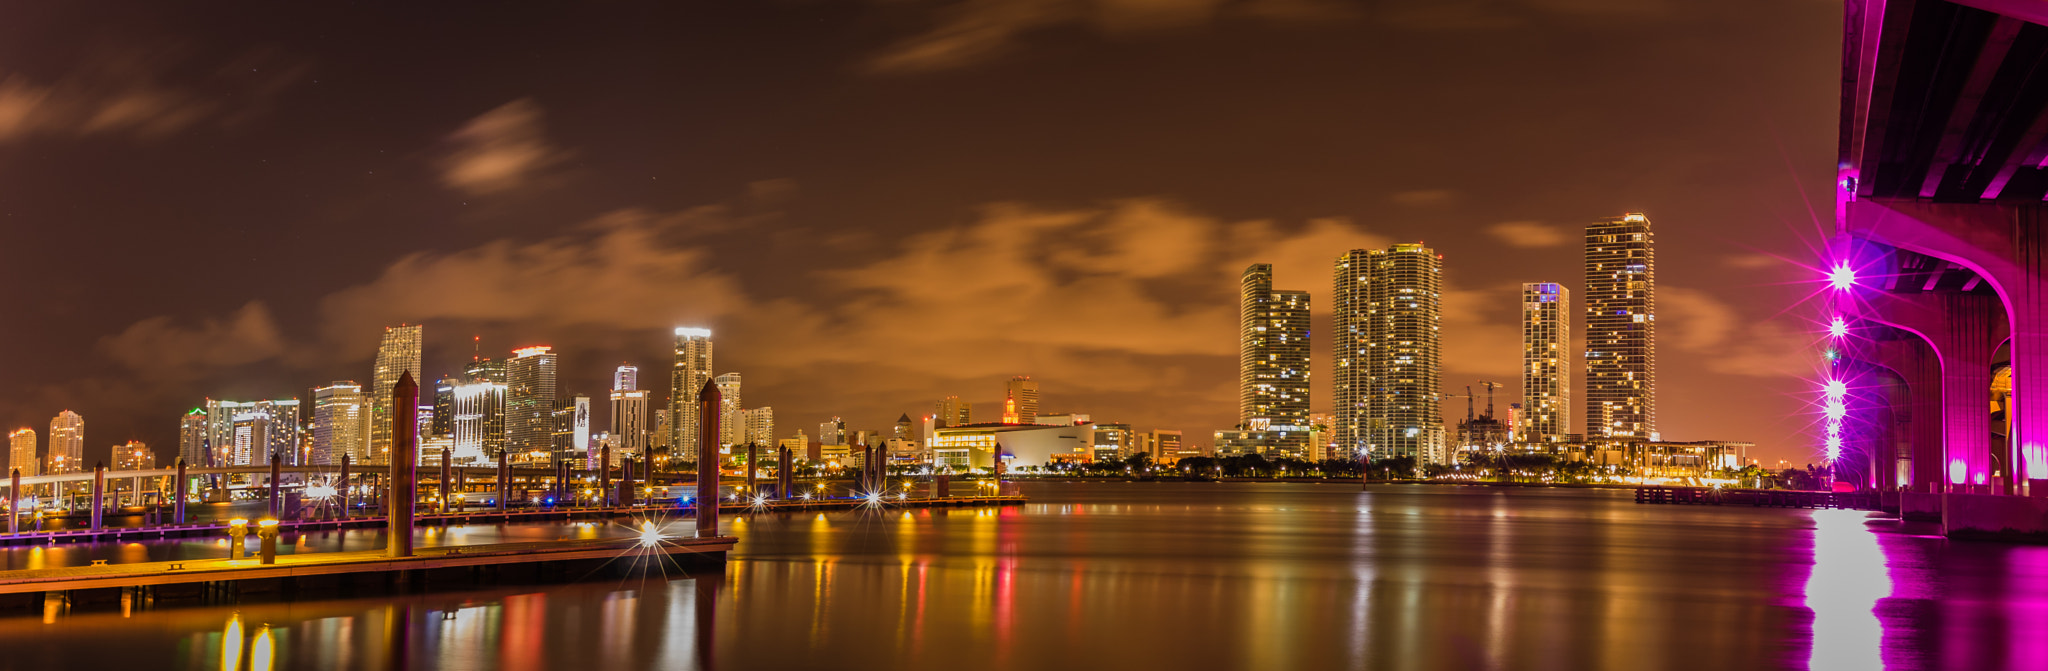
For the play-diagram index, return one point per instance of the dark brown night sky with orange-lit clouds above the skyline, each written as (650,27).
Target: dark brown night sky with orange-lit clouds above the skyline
(878,204)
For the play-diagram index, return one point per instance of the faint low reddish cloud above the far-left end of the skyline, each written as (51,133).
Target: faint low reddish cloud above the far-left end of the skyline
(161,349)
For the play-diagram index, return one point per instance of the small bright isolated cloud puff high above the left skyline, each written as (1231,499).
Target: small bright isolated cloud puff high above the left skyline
(499,150)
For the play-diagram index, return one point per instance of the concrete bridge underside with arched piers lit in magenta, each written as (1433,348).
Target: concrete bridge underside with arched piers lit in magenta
(1940,214)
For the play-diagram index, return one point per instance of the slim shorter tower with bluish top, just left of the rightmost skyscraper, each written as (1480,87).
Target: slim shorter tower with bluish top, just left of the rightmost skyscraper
(1545,412)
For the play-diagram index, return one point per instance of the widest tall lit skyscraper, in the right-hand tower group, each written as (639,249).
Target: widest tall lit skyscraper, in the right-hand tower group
(1390,355)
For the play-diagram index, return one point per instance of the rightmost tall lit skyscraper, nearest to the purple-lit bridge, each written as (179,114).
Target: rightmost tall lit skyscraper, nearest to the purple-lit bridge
(1621,330)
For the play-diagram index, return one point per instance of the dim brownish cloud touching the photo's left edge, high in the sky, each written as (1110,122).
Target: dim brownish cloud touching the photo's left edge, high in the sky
(126,95)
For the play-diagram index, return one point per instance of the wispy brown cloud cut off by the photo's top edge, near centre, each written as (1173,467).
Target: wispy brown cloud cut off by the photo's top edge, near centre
(972,32)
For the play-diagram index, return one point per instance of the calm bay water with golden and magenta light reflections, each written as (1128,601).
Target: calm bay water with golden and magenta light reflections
(1191,576)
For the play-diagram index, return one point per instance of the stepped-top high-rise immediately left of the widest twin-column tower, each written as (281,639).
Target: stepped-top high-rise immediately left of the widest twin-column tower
(1273,367)
